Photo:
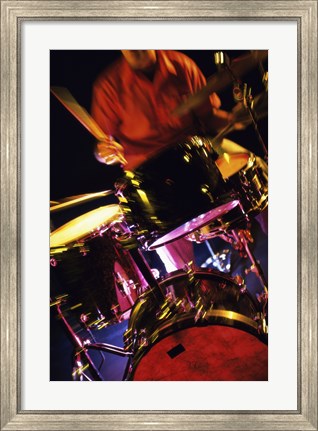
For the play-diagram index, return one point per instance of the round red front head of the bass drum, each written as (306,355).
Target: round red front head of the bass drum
(211,353)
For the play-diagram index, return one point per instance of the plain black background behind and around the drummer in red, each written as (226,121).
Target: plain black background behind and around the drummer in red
(73,168)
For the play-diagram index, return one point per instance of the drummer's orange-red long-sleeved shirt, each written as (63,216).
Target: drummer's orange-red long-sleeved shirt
(137,111)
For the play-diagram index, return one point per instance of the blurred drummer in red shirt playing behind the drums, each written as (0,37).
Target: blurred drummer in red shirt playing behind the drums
(133,102)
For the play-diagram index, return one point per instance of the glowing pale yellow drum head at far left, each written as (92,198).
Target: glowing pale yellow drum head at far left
(85,225)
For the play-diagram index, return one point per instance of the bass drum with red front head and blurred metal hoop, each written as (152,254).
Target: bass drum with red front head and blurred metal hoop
(209,328)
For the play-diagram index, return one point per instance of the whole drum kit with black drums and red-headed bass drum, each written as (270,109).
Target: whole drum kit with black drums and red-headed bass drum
(191,324)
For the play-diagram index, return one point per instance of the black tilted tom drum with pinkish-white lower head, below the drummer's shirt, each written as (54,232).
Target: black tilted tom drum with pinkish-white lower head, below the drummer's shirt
(177,185)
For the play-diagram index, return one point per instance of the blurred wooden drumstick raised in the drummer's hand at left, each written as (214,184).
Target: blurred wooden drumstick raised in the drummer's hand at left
(80,113)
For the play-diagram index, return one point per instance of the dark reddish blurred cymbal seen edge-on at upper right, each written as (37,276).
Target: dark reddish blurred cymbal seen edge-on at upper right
(220,80)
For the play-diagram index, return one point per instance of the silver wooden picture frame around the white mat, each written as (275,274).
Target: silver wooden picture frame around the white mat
(305,14)
